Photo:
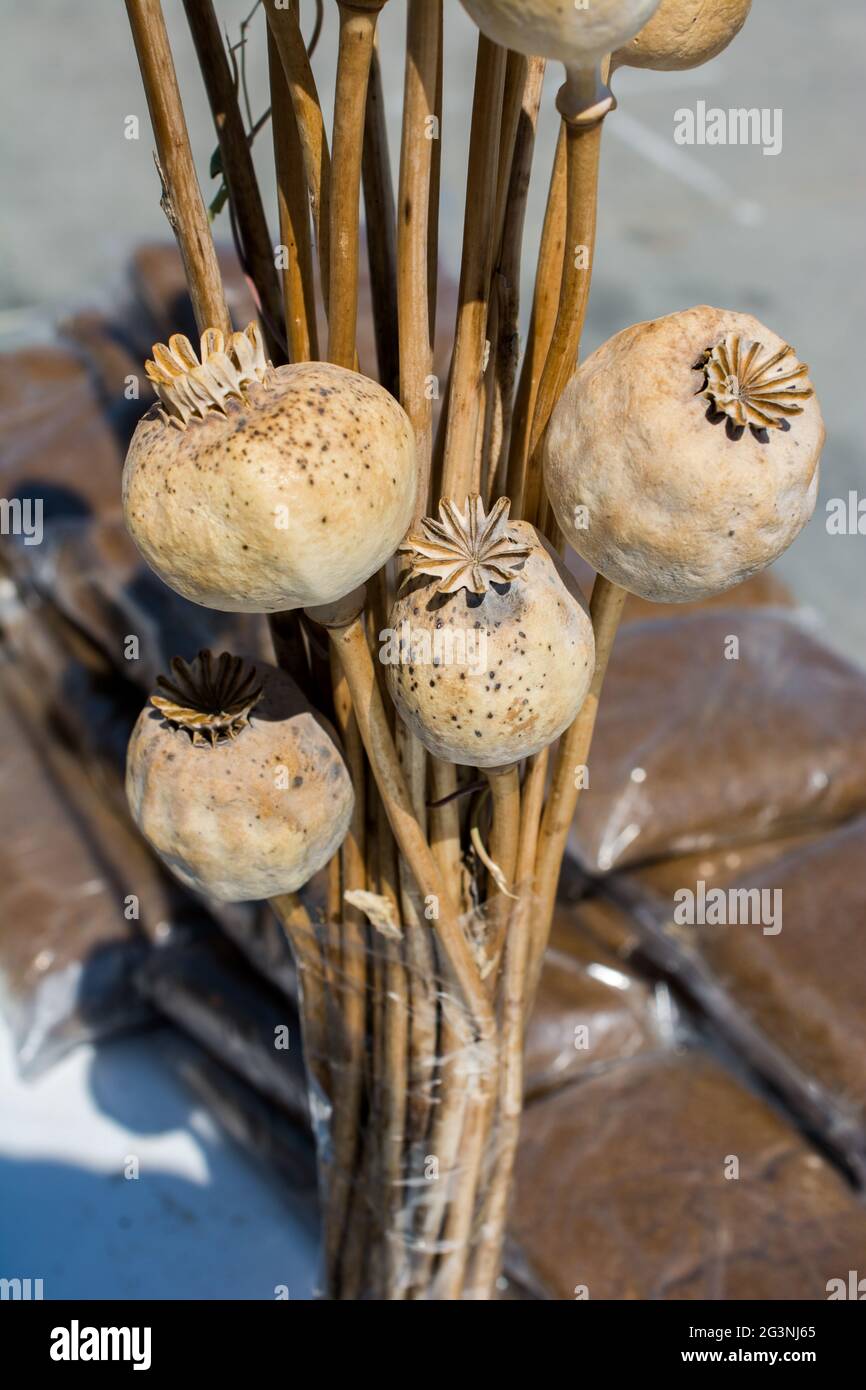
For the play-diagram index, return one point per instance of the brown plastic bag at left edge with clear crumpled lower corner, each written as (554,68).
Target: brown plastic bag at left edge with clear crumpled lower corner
(67,950)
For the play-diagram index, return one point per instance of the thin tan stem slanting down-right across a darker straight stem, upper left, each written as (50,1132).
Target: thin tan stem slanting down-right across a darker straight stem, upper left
(284,26)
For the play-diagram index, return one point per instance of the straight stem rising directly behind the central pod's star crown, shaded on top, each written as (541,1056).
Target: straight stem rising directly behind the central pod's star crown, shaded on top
(466,386)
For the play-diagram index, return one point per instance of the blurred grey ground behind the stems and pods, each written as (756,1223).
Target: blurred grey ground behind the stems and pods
(779,237)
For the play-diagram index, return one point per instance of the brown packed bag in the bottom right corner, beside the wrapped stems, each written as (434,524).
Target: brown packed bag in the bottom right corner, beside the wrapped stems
(626,1191)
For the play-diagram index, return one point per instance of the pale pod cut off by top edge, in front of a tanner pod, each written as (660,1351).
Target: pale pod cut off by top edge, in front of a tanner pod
(579,37)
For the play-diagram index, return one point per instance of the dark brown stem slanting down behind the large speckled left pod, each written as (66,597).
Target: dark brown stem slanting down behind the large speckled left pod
(238,170)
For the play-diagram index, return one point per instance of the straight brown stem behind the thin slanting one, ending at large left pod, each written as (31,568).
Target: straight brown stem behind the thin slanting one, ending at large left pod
(300,301)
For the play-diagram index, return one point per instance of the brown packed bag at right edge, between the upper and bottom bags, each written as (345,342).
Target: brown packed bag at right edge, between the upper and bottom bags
(786,996)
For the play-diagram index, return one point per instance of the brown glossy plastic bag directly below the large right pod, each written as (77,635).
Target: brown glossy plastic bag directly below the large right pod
(694,751)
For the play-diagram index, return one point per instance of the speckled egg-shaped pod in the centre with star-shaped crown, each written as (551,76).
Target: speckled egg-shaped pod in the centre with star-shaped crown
(490,651)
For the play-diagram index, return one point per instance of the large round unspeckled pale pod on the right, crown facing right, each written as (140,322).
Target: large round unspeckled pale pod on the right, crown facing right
(683,455)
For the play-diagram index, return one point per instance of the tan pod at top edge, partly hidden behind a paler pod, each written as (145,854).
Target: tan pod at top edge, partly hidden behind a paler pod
(685,34)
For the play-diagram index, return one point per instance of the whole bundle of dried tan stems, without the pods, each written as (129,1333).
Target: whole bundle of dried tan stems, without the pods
(415,1017)
